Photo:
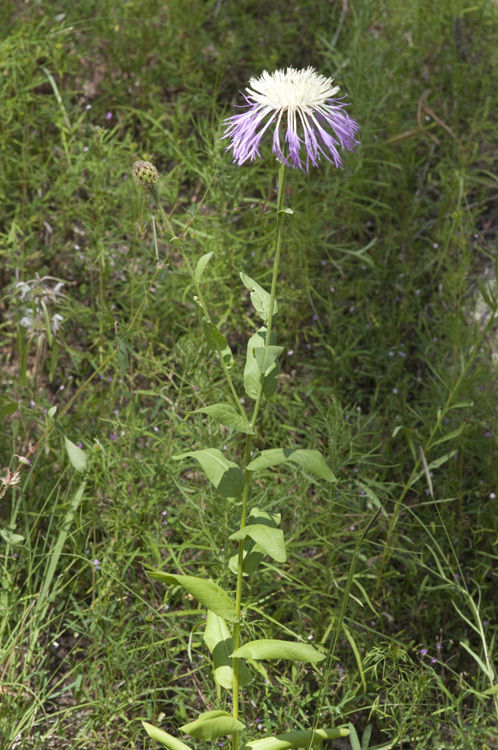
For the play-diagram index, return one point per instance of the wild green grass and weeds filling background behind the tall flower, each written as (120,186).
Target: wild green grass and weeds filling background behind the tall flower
(388,367)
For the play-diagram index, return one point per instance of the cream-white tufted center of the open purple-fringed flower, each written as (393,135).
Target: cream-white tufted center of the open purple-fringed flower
(291,89)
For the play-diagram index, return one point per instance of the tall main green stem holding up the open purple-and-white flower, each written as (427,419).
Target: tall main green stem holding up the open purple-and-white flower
(249,439)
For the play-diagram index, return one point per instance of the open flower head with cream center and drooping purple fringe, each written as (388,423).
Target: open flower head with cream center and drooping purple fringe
(299,105)
